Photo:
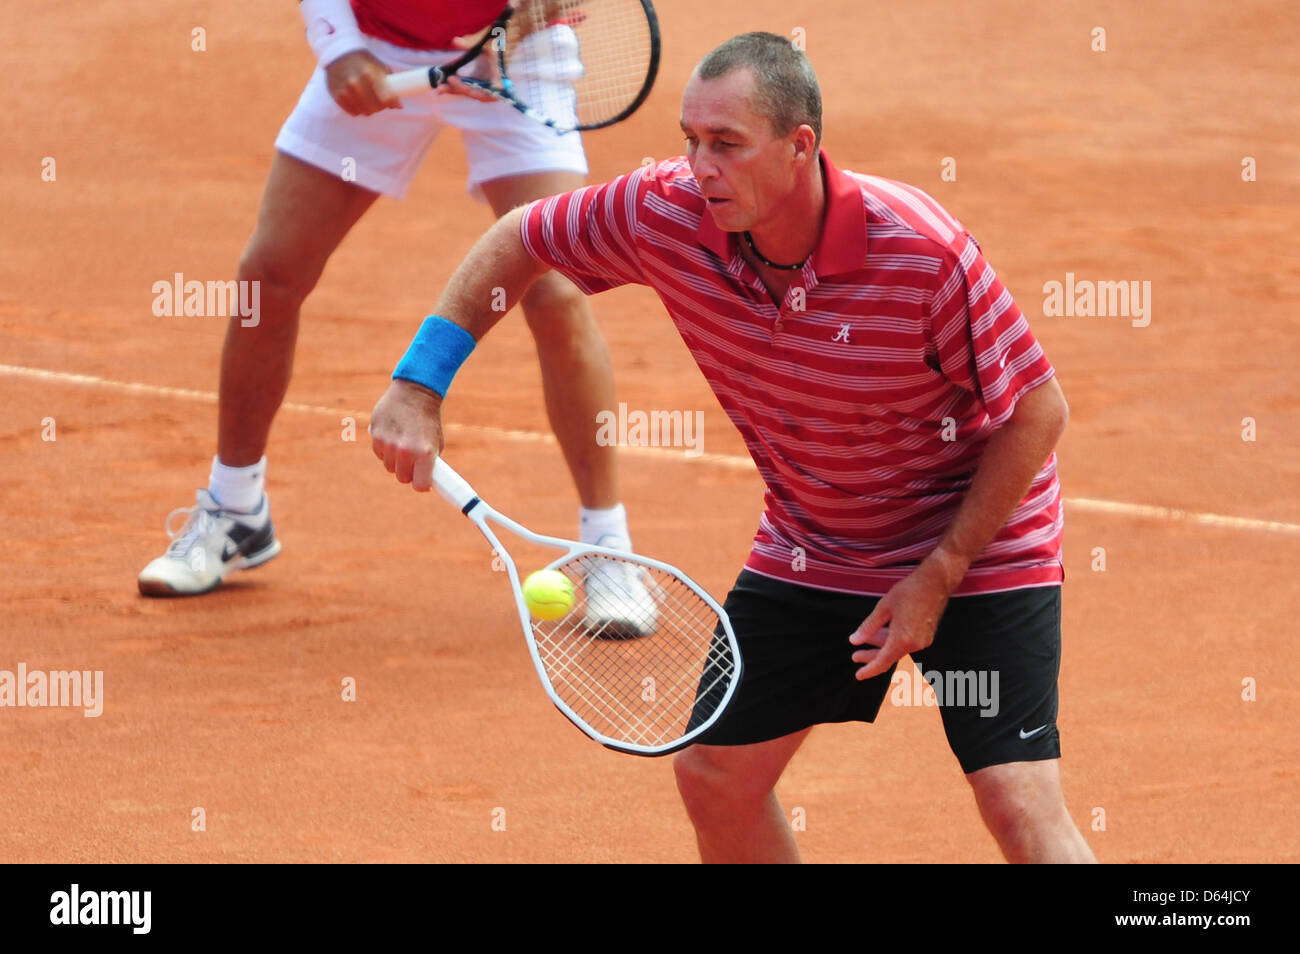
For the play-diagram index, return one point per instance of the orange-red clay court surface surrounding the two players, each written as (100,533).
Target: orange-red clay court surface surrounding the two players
(1124,164)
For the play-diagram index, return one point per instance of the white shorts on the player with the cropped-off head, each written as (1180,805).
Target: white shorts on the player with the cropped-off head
(383,151)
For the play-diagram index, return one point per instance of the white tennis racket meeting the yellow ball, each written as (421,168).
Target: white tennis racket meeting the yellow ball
(643,677)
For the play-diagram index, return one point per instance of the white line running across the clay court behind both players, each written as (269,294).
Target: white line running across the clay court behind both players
(736,463)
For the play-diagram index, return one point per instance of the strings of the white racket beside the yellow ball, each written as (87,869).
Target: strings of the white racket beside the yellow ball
(644,667)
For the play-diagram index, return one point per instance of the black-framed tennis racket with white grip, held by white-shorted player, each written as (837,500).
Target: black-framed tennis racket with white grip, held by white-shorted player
(567,64)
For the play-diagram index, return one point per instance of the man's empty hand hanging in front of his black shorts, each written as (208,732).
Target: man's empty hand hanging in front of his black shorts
(908,615)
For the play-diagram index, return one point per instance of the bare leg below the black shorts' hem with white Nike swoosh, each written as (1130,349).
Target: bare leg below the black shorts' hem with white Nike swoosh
(1024,806)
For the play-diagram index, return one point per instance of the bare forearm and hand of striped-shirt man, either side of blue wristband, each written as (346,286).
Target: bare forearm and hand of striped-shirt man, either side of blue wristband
(406,426)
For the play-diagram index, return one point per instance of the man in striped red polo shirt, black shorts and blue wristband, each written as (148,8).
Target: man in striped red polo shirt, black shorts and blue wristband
(899,410)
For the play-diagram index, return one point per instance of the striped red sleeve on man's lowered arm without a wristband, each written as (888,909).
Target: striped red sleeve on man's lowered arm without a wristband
(983,341)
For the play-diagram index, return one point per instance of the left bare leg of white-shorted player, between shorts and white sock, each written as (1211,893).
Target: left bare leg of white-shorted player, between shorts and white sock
(305,215)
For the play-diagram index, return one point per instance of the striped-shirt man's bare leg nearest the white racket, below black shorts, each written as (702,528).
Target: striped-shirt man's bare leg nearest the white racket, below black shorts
(729,792)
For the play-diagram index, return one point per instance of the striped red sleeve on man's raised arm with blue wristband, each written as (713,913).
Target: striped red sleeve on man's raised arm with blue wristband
(590,235)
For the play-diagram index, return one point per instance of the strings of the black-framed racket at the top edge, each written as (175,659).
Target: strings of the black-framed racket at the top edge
(582,63)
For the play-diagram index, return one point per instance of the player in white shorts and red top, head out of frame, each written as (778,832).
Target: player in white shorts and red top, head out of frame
(346,144)
